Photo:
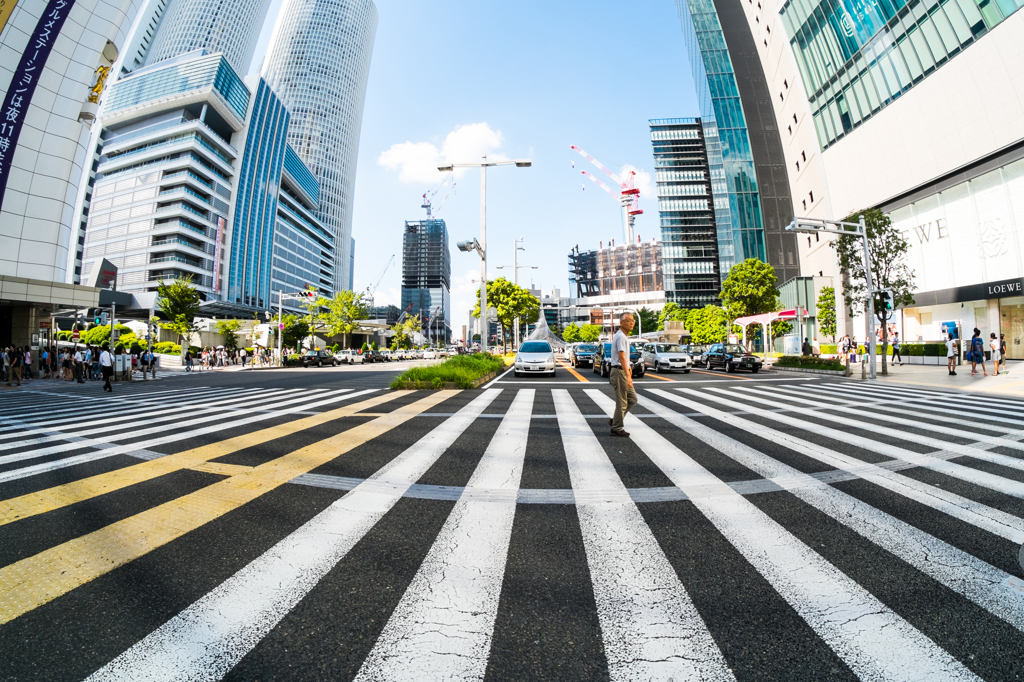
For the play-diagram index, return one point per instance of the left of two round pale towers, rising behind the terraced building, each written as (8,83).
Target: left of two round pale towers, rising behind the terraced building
(229,27)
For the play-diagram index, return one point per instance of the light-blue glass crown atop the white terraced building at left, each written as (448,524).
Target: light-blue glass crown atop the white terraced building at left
(179,78)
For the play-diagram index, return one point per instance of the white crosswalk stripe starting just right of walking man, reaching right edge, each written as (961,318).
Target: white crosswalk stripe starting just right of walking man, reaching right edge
(997,591)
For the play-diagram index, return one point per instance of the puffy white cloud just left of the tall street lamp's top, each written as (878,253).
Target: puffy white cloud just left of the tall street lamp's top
(418,162)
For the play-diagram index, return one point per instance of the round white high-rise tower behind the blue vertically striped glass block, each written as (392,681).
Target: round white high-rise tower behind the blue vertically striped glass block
(319,63)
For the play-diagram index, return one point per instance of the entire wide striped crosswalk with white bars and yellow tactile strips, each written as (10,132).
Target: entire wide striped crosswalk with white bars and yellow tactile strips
(752,531)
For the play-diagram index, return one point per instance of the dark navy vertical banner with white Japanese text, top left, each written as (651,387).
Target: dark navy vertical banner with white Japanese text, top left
(23,86)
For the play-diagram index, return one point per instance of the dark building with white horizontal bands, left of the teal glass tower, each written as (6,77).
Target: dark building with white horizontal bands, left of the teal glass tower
(687,211)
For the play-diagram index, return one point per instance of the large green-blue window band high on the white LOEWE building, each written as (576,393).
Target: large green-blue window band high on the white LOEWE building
(859,57)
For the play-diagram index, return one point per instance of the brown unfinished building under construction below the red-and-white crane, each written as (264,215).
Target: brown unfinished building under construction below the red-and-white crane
(629,269)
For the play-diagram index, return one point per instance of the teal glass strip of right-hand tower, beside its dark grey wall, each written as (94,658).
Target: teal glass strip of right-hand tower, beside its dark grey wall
(731,159)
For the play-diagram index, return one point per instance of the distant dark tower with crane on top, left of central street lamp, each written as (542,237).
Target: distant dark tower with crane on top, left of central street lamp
(426,276)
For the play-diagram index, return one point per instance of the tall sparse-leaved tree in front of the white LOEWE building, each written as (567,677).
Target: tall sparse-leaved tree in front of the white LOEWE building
(890,271)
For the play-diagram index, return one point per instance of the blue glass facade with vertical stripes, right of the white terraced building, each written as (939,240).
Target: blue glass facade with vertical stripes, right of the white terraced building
(257,201)
